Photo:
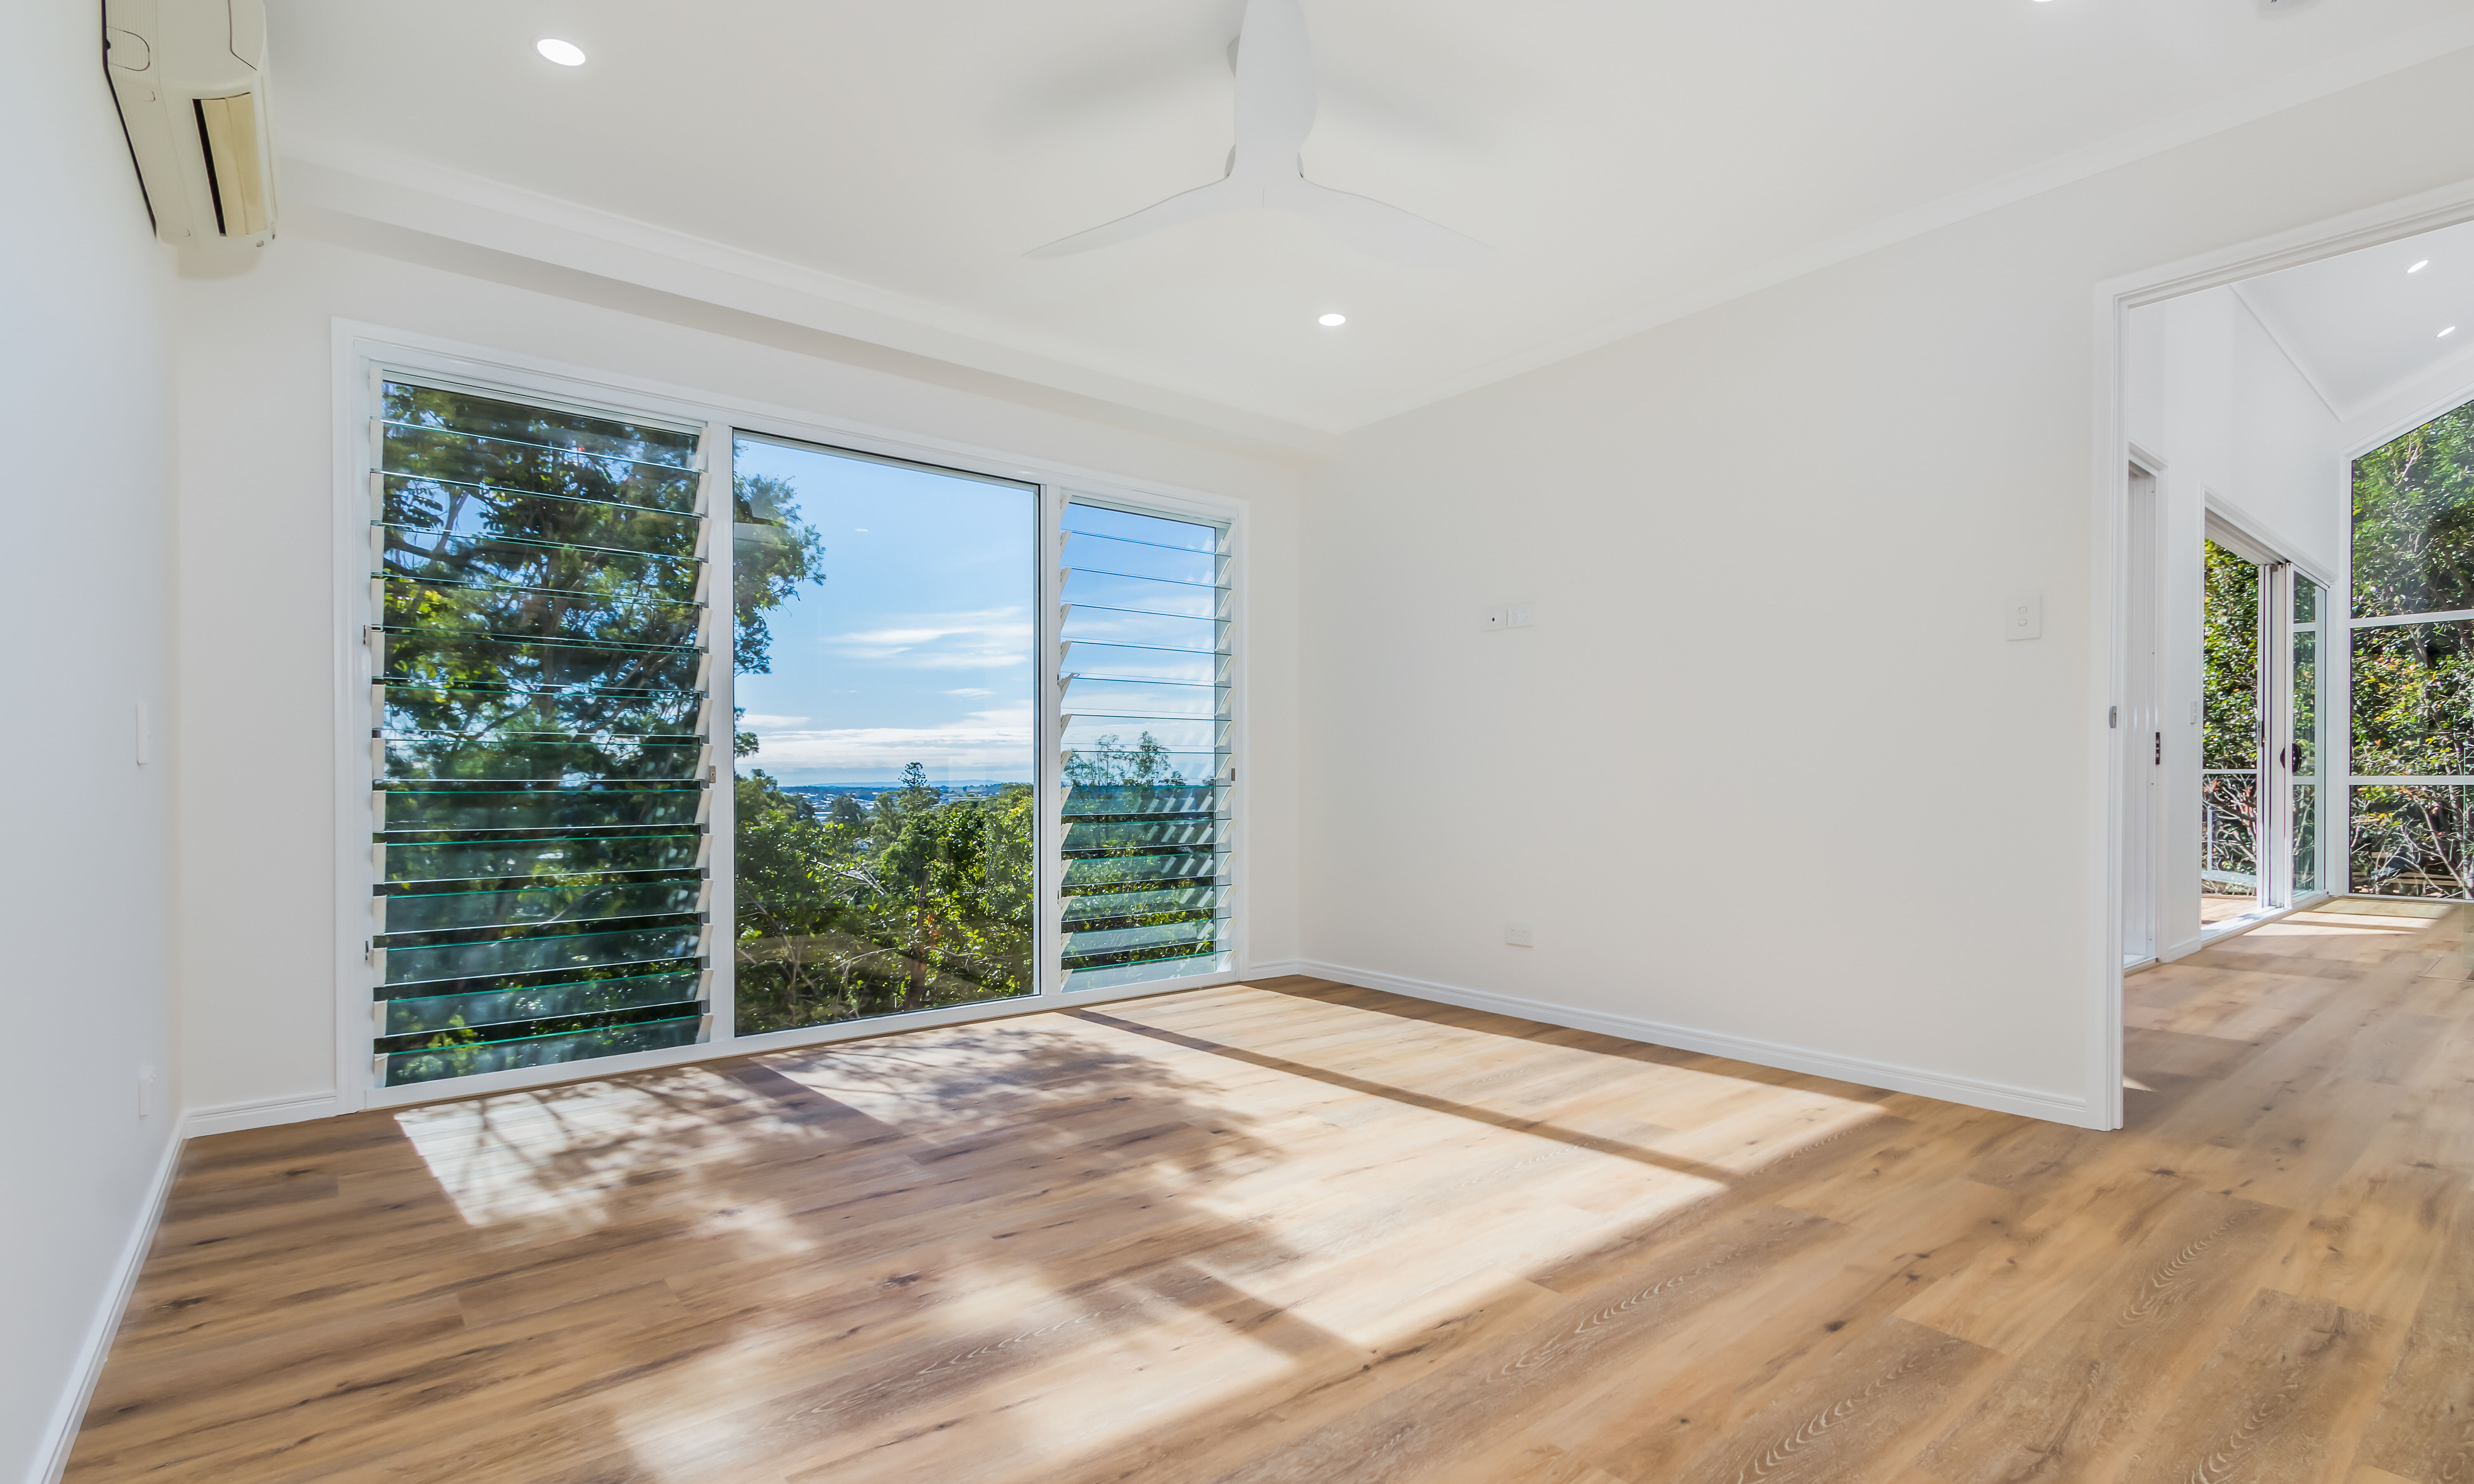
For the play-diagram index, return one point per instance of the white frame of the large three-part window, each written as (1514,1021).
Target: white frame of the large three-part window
(367,348)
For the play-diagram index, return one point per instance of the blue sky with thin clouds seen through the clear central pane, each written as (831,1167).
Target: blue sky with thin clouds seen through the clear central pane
(917,647)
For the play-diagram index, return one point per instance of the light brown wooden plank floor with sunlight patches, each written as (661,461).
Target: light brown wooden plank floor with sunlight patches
(1303,1233)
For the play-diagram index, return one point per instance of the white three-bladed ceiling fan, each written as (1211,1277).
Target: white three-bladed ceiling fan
(1275,115)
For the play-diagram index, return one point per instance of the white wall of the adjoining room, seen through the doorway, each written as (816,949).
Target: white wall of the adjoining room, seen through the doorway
(2211,392)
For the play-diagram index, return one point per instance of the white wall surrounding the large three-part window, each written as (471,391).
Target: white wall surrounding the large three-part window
(256,538)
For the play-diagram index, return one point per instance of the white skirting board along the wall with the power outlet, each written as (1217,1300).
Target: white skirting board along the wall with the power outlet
(1872,1075)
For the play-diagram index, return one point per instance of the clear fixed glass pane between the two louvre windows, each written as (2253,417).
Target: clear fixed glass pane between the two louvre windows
(887,622)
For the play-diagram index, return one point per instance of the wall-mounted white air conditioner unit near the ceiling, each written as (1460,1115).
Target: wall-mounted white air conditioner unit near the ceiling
(192,80)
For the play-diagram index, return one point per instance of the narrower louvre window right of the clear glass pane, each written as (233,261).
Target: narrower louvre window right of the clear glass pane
(1147,704)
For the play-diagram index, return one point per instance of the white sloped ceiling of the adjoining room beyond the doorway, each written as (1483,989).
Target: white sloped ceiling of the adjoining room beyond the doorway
(2364,328)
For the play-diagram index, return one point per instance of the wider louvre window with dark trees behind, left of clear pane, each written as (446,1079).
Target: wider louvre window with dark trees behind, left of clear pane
(541,773)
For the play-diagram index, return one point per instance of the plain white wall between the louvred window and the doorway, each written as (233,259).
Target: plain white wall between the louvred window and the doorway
(1765,768)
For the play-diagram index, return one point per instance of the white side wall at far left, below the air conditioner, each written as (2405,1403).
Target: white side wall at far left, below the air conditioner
(88,595)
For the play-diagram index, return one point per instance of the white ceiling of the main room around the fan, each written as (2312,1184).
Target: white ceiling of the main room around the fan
(1629,157)
